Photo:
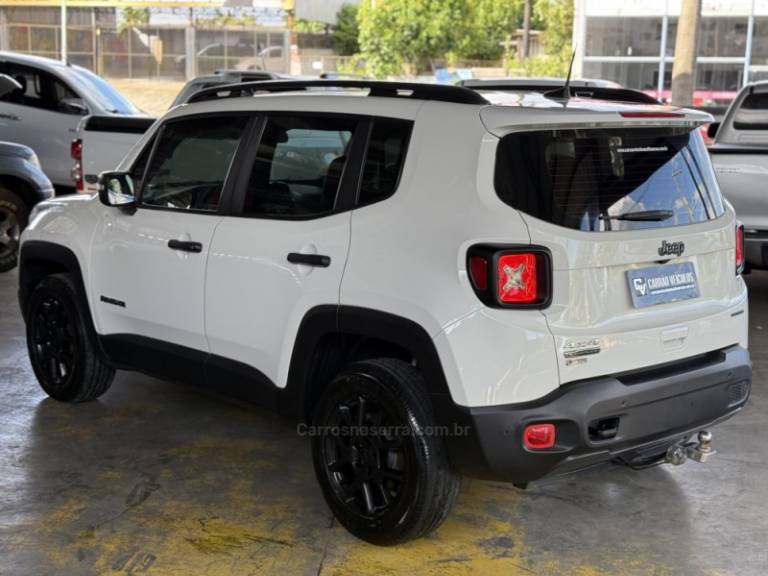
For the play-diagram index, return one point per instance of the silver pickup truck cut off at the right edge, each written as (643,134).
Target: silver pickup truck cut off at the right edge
(740,159)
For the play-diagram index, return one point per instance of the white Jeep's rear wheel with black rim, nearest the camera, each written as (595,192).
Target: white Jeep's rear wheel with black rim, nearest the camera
(396,483)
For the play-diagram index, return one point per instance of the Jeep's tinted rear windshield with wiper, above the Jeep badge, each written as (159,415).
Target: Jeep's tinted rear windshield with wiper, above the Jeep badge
(609,179)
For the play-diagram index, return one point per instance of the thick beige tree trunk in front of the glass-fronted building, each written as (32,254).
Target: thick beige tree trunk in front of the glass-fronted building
(684,68)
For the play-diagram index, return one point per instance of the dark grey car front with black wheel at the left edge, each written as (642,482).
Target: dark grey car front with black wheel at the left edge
(22,185)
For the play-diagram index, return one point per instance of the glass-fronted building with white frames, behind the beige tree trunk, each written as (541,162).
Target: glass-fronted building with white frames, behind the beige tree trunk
(633,42)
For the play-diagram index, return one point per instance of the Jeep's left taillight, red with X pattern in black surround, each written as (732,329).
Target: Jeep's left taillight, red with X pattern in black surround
(511,276)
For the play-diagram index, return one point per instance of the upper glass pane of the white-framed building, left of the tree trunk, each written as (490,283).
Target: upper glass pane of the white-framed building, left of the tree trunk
(623,36)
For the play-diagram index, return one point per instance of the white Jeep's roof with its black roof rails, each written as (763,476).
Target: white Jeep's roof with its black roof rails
(402,99)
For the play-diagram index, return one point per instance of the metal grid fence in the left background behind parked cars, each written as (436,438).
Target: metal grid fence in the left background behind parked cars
(146,52)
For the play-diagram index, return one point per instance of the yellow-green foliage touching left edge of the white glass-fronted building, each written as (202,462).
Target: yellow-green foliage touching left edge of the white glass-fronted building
(557,38)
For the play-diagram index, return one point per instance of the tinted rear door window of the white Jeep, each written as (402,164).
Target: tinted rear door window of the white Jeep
(299,166)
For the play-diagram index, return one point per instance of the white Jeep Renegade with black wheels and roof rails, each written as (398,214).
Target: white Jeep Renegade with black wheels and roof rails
(431,279)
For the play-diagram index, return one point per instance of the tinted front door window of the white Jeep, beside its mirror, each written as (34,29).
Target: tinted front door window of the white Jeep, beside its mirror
(191,162)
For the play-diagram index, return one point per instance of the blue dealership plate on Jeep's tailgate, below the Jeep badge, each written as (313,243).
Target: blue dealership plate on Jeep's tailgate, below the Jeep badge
(662,284)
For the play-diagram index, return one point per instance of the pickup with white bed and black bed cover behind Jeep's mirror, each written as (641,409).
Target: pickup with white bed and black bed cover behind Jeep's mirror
(103,141)
